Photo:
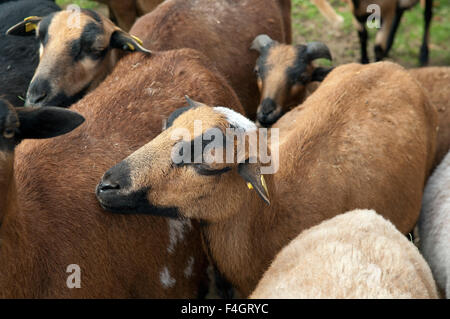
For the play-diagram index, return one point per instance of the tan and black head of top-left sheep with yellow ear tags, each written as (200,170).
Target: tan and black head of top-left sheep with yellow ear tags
(77,51)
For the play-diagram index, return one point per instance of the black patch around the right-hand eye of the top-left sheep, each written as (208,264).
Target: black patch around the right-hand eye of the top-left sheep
(84,46)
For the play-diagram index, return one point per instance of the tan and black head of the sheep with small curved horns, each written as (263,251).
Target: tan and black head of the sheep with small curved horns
(283,72)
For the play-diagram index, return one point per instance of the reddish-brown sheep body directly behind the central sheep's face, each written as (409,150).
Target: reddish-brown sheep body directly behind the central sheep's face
(60,222)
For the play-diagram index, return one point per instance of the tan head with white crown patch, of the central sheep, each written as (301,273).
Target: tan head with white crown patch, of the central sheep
(184,171)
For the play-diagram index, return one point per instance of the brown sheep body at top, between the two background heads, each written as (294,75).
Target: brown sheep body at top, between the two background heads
(223,31)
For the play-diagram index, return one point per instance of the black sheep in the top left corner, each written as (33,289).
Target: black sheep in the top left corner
(19,58)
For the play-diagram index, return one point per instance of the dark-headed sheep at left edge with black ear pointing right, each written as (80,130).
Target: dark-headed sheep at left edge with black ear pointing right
(17,124)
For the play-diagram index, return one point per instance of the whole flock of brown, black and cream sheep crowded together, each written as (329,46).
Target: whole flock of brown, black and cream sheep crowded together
(87,175)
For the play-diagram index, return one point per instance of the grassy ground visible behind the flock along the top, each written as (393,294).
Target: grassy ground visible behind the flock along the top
(310,25)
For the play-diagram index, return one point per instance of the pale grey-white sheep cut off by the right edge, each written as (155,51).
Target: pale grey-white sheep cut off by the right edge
(434,225)
